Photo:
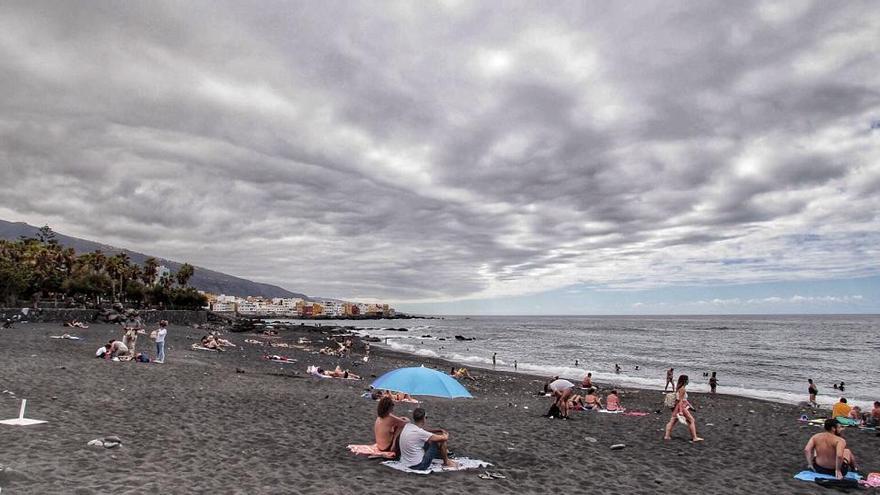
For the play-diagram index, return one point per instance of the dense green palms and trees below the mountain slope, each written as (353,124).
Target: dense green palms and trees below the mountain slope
(41,268)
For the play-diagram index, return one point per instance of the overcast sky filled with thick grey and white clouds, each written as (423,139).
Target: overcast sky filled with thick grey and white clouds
(432,153)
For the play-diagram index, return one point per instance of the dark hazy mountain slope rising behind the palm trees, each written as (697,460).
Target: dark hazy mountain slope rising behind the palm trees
(204,279)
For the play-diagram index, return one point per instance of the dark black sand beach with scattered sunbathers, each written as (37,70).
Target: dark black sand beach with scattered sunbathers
(197,425)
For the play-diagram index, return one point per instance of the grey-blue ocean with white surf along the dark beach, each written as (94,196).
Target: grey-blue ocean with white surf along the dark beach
(766,357)
